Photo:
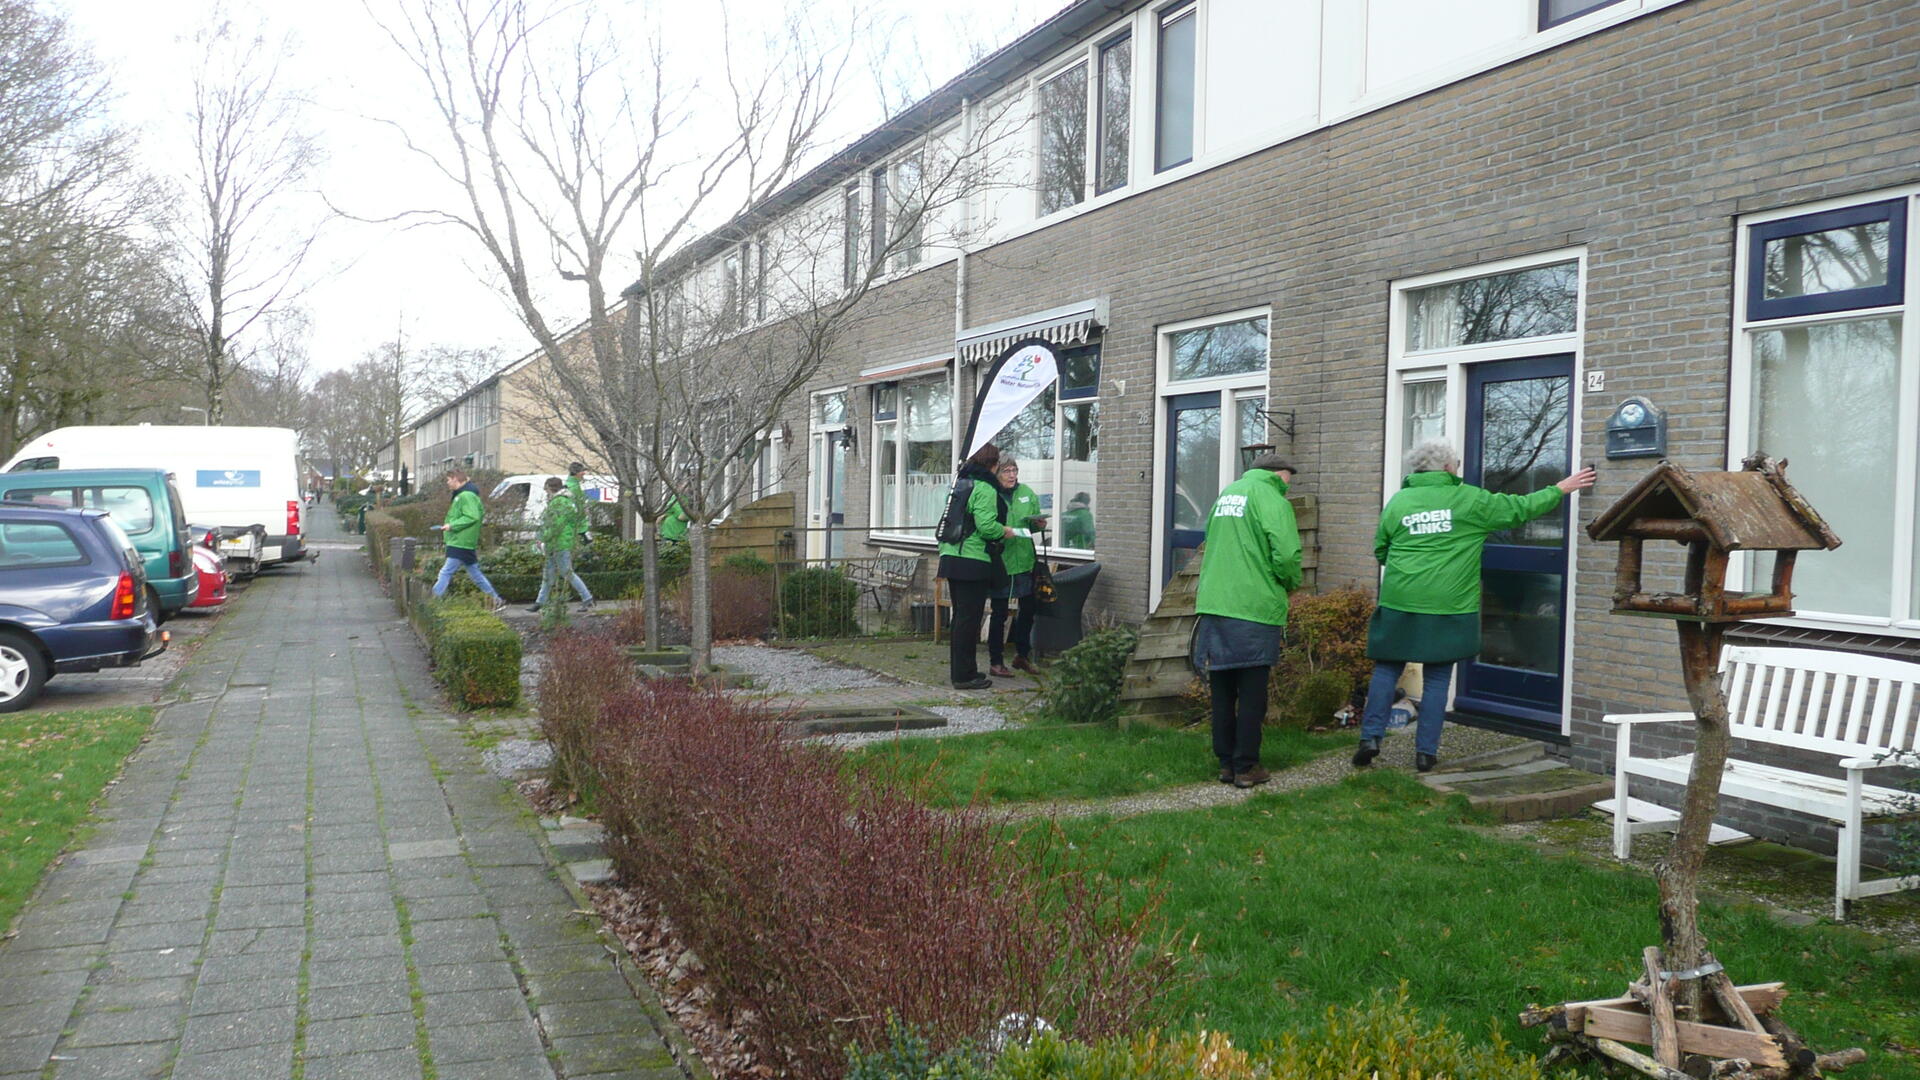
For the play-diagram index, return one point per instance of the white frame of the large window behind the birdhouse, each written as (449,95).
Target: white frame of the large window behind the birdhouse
(1908,470)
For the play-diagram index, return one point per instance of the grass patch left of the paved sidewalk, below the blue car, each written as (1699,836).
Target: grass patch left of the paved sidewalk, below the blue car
(53,768)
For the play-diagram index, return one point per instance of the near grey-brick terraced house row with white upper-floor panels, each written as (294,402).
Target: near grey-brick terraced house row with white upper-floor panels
(1347,226)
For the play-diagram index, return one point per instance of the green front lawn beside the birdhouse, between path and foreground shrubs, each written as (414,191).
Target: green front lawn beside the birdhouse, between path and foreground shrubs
(1316,898)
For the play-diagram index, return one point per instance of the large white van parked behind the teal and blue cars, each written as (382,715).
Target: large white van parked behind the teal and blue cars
(243,479)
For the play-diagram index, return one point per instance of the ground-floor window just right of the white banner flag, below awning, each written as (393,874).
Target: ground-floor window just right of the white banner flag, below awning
(1057,443)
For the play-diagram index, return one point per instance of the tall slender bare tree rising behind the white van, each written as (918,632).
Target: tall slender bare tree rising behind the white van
(245,235)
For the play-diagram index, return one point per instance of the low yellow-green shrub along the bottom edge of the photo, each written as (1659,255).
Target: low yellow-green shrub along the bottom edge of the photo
(1380,1041)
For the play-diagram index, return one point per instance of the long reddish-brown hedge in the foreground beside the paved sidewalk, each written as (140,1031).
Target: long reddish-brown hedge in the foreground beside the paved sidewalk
(821,898)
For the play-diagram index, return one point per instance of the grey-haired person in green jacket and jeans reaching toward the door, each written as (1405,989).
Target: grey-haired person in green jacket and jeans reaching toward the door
(1429,541)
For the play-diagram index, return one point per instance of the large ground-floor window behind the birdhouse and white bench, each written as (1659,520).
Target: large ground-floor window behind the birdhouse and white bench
(1827,380)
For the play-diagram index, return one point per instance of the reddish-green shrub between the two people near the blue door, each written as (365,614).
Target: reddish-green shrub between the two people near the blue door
(1326,633)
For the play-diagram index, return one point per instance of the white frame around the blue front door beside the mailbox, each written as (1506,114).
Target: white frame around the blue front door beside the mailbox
(1451,366)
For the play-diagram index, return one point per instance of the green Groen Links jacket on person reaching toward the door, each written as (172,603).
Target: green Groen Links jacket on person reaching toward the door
(1431,537)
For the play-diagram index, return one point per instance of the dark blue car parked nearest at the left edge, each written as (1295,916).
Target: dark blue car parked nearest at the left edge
(72,599)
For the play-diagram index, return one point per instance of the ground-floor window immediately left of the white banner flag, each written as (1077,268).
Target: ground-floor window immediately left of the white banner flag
(913,454)
